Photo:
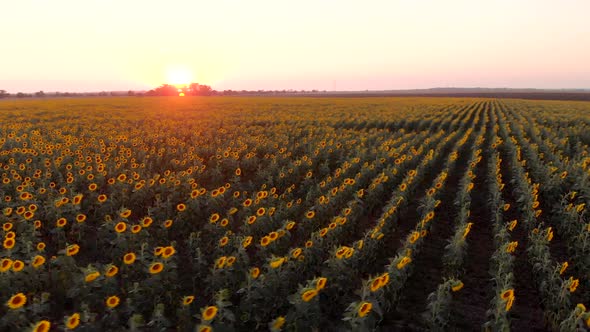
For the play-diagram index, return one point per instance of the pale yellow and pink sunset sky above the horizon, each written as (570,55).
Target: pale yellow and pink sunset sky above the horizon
(96,45)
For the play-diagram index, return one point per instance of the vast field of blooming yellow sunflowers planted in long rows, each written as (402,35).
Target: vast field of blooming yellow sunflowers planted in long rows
(221,213)
